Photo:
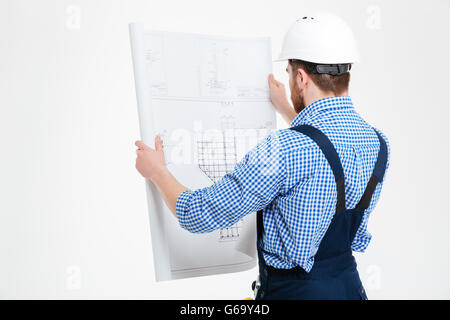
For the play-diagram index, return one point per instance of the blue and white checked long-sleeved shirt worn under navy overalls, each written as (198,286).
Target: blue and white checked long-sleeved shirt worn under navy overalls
(288,177)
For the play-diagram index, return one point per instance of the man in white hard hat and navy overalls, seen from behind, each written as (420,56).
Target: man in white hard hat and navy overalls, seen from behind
(313,185)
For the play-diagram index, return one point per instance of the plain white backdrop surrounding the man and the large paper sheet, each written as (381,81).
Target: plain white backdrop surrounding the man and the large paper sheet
(73,215)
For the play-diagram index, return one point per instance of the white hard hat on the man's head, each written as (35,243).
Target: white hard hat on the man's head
(322,38)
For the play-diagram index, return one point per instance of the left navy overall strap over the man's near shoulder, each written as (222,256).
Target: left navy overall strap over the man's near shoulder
(332,157)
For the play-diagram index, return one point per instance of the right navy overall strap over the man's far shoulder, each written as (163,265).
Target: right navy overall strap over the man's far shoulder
(376,177)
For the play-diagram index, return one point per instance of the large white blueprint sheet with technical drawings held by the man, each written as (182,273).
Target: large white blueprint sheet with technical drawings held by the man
(208,99)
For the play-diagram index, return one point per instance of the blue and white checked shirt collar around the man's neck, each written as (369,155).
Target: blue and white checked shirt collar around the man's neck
(320,105)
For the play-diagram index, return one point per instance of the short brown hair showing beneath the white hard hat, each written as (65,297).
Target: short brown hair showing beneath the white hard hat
(326,82)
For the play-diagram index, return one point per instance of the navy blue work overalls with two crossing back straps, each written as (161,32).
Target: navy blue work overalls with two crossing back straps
(334,274)
